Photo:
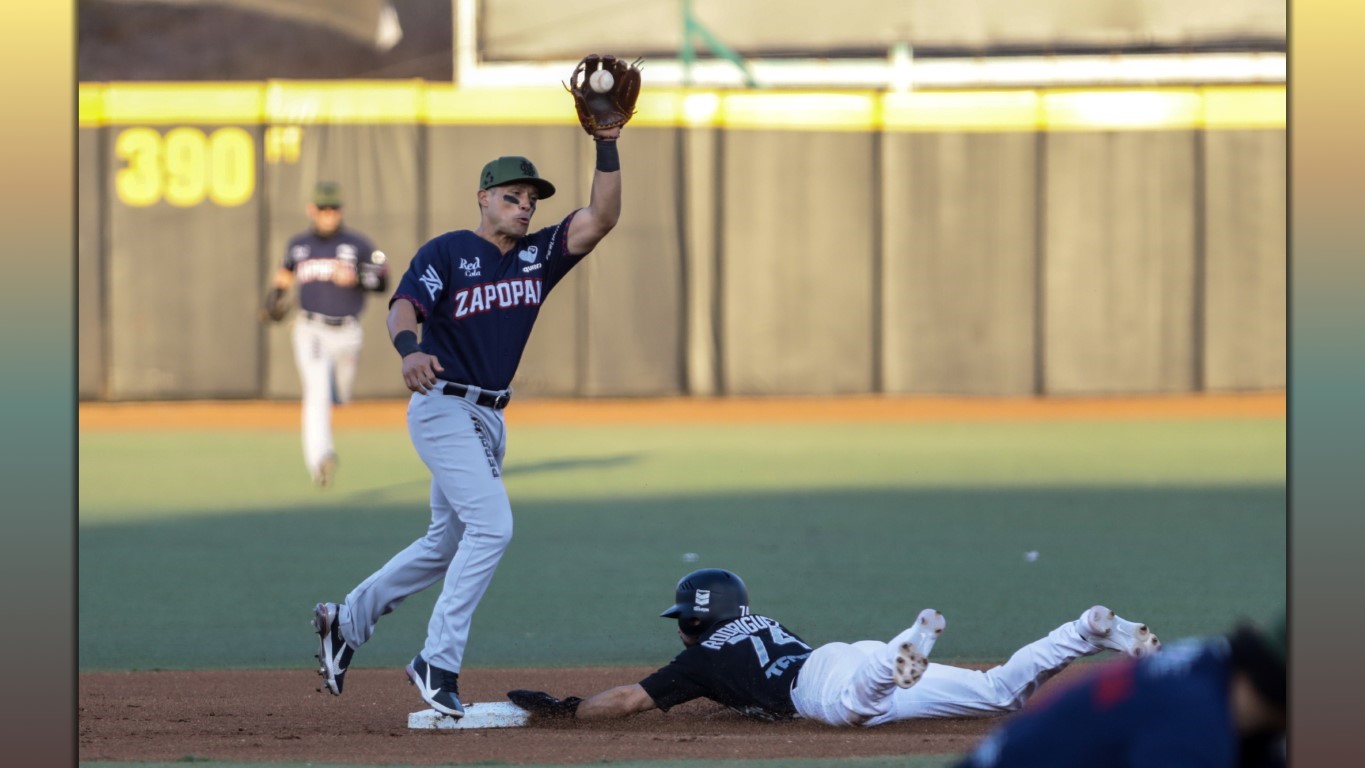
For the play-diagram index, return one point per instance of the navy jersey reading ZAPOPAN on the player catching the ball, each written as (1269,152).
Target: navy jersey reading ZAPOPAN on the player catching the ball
(478,305)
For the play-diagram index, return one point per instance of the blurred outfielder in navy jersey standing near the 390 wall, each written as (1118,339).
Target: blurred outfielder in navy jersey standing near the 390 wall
(335,268)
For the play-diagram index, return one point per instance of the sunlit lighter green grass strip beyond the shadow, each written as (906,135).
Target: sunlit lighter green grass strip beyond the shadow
(154,475)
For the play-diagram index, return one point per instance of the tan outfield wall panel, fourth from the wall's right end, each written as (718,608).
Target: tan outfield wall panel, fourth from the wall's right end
(796,263)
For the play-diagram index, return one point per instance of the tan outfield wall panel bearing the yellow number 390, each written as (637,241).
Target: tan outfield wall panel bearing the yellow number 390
(184,279)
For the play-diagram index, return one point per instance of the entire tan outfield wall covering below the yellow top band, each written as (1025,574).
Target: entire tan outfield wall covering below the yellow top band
(775,261)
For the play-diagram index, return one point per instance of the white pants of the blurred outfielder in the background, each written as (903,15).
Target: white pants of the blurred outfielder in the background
(327,358)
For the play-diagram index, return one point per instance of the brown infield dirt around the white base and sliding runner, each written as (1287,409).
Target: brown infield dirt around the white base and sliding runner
(272,715)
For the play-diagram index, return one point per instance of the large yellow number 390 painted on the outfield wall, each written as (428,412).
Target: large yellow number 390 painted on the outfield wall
(185,167)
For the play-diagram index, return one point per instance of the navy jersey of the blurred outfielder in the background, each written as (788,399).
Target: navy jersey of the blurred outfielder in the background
(317,261)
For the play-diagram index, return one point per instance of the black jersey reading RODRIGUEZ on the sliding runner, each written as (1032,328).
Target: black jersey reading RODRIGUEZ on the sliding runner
(747,665)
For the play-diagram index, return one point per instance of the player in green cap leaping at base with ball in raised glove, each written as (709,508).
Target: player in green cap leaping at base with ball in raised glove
(478,293)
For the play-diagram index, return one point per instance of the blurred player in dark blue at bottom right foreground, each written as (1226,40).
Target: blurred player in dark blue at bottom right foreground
(1214,702)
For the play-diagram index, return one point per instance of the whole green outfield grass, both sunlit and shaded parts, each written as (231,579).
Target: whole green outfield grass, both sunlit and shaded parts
(842,531)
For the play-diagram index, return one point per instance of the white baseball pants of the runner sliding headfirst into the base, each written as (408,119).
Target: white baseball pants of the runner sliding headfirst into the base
(852,685)
